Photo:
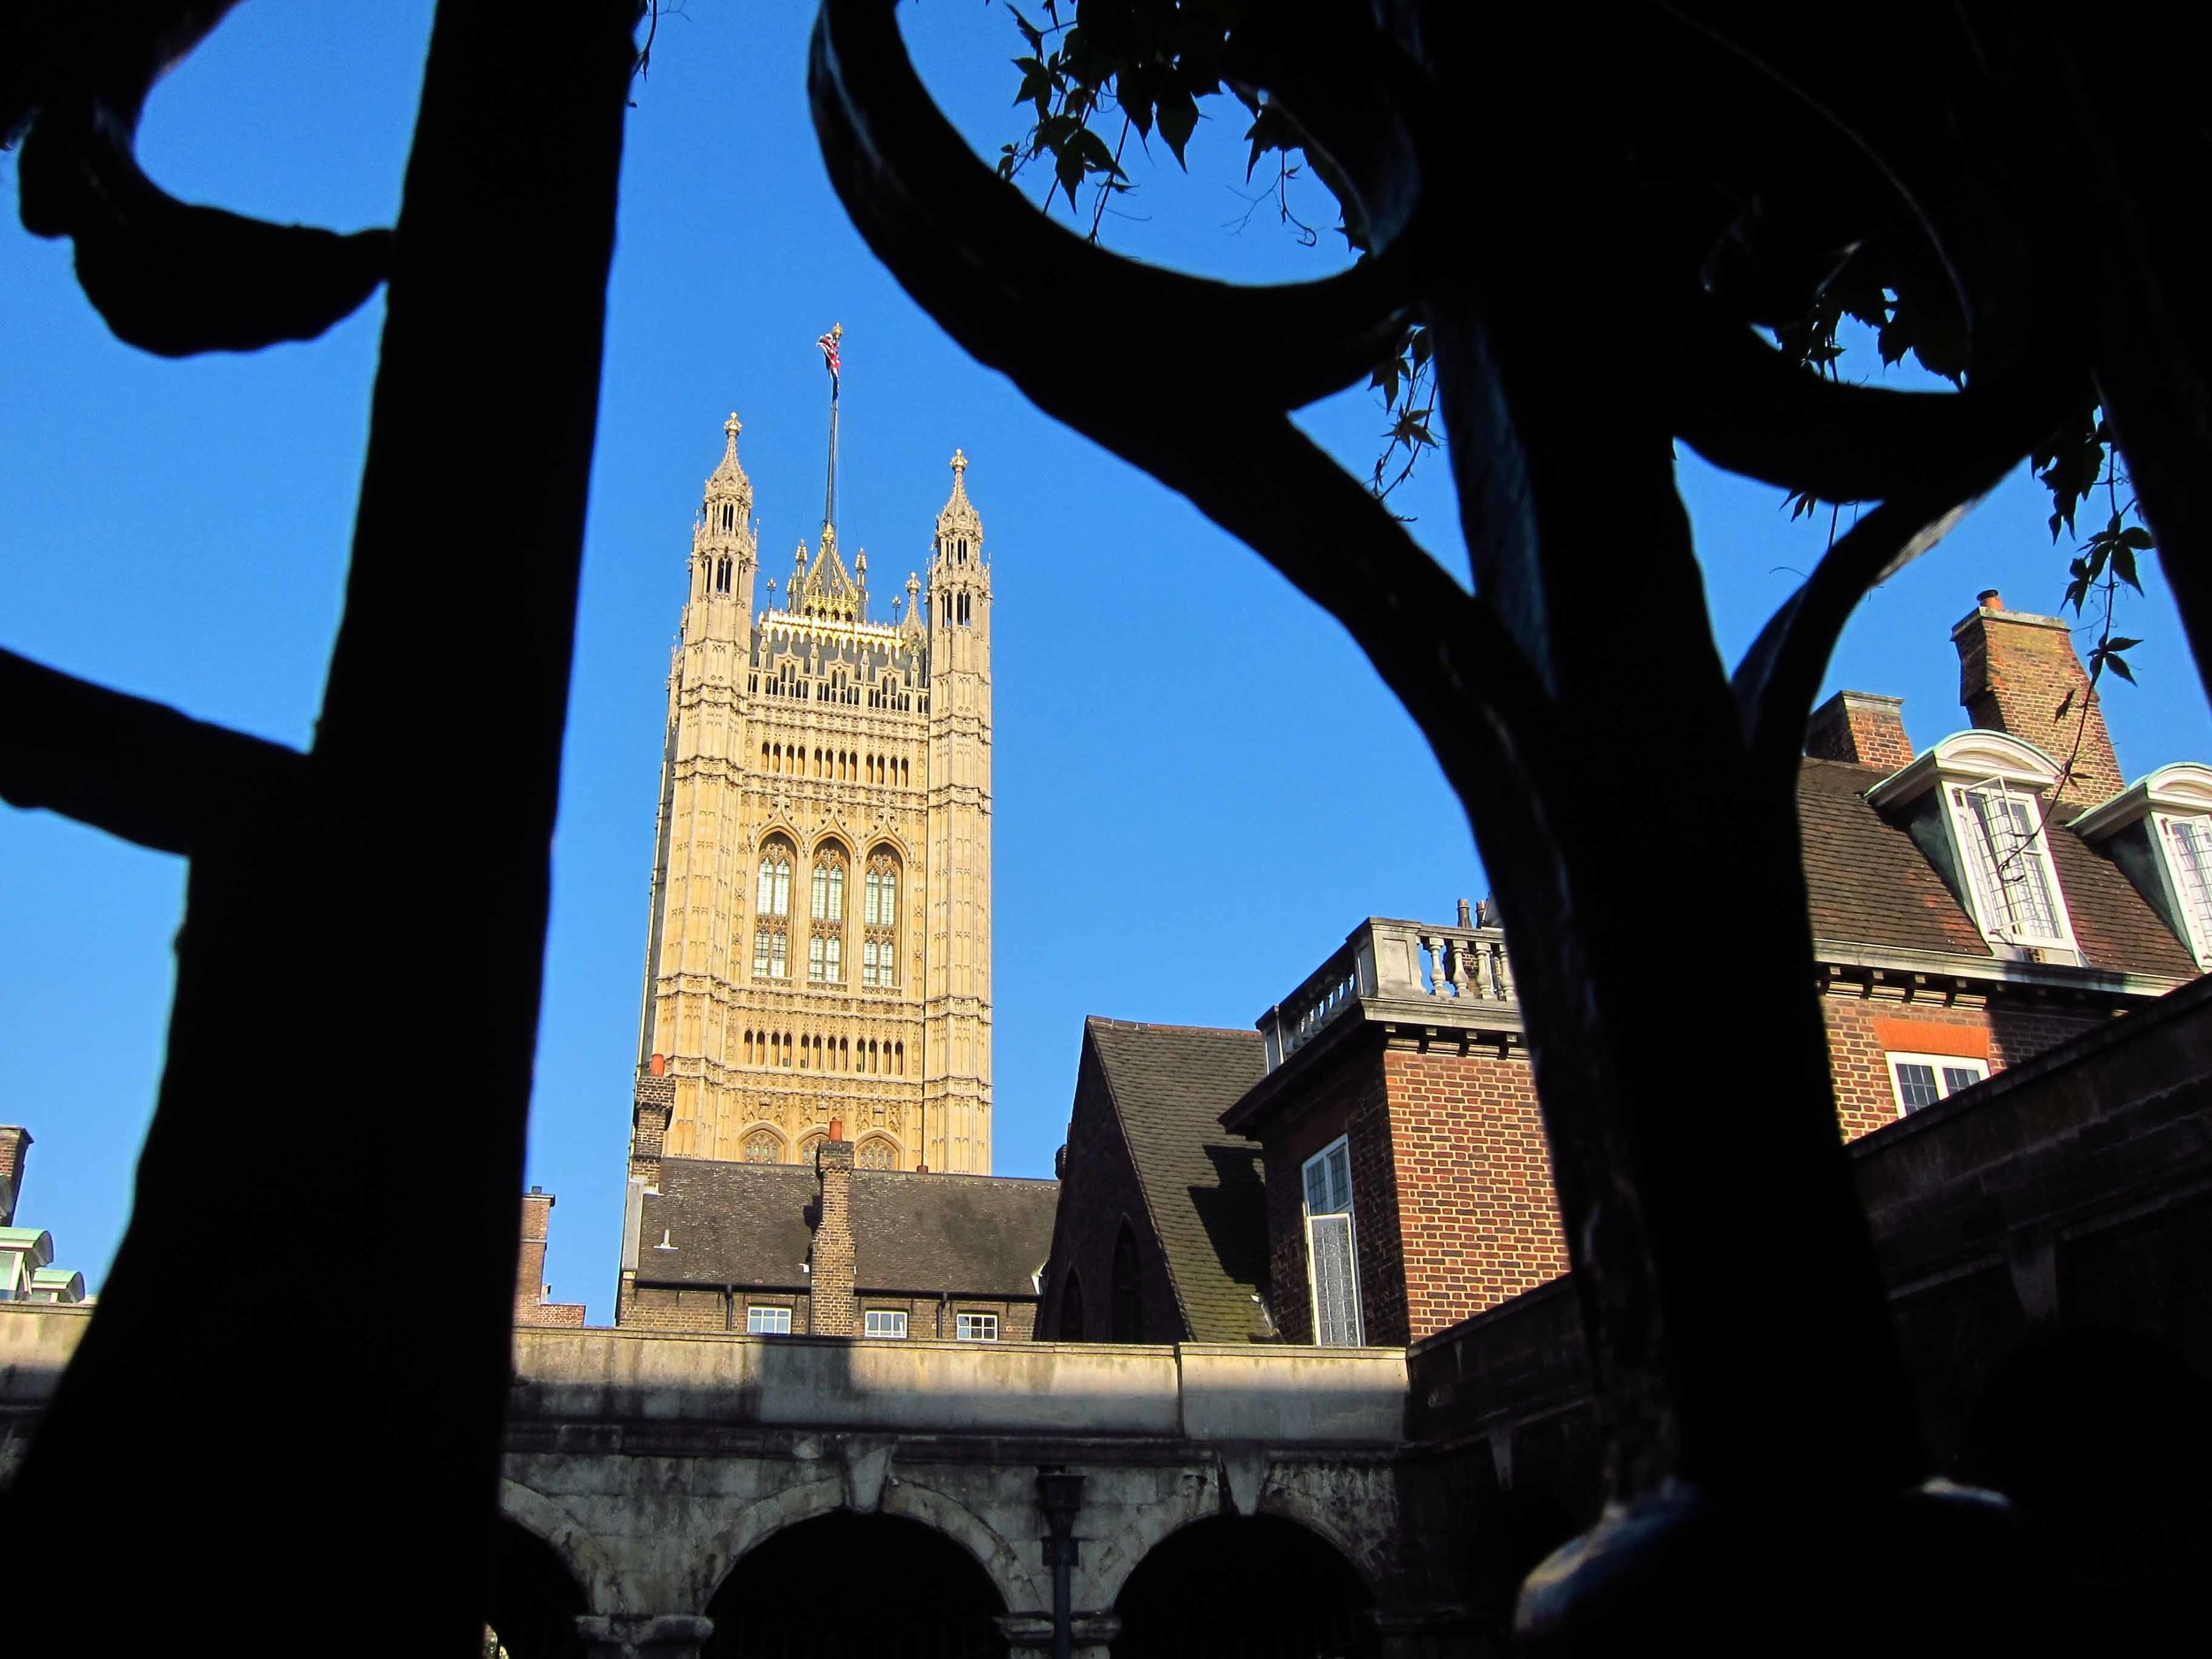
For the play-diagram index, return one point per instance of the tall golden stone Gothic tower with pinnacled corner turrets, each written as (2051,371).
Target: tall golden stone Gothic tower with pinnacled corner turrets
(820,943)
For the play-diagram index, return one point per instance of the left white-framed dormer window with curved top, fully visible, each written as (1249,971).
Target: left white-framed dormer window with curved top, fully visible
(1976,806)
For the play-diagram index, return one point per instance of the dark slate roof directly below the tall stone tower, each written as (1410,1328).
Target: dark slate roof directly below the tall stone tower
(747,1224)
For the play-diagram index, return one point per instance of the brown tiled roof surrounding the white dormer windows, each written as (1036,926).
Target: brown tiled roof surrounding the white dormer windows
(1868,884)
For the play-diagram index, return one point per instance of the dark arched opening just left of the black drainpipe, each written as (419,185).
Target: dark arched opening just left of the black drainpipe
(870,1587)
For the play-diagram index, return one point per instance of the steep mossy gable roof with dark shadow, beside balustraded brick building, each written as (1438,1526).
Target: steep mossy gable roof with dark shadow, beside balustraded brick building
(1204,1187)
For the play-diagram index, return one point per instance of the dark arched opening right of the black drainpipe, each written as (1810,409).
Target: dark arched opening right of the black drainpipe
(1295,1598)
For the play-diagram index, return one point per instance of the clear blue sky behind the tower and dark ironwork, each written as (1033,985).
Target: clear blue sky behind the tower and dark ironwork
(1200,782)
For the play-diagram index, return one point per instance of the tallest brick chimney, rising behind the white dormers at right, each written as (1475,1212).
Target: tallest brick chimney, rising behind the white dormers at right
(2018,674)
